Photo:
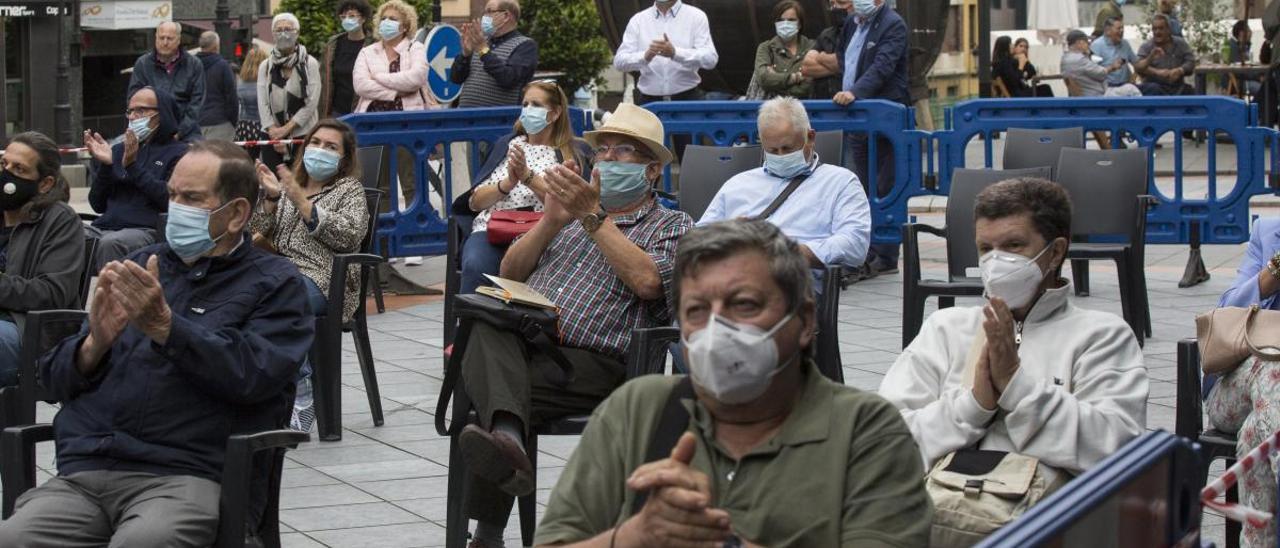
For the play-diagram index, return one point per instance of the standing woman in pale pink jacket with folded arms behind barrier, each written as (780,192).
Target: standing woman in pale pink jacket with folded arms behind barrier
(391,76)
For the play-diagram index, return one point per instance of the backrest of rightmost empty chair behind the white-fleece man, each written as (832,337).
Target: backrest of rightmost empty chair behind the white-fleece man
(1104,186)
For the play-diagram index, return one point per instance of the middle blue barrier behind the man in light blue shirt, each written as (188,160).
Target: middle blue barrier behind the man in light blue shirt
(726,124)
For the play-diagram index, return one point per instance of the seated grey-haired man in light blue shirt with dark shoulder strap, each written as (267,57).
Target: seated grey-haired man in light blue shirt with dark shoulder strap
(828,213)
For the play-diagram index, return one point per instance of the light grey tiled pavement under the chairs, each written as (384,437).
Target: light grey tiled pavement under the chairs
(386,487)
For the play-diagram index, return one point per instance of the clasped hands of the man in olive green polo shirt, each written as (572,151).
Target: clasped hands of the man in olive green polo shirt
(678,513)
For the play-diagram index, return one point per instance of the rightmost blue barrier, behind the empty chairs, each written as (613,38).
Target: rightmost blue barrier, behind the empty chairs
(1222,217)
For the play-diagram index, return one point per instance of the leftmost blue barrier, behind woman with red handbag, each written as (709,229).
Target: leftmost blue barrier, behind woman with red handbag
(419,229)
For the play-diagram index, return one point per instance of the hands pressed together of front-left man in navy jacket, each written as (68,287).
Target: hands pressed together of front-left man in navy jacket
(126,295)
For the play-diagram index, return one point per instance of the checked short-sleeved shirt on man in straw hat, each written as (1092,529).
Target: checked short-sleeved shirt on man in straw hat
(598,310)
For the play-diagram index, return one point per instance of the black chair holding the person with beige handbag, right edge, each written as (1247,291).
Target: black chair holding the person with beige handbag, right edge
(1190,423)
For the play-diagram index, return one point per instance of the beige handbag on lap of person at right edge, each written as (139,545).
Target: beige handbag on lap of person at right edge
(1231,335)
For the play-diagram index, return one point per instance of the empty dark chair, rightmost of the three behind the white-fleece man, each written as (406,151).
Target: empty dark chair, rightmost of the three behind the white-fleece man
(1109,198)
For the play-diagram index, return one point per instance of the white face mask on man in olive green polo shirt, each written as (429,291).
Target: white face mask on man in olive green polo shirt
(734,363)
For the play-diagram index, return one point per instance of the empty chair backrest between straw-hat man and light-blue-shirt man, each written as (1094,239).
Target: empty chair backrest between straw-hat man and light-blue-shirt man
(705,170)
